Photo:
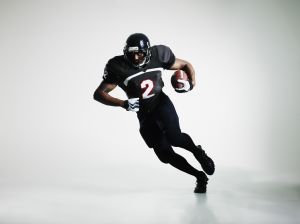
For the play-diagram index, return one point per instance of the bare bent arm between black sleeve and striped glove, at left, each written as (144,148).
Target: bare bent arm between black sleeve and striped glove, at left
(102,95)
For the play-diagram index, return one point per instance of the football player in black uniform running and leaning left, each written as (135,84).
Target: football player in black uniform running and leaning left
(139,73)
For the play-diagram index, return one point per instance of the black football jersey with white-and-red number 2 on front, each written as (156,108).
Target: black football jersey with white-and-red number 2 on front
(145,82)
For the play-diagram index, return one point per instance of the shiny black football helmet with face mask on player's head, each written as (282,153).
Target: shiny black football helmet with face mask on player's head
(136,50)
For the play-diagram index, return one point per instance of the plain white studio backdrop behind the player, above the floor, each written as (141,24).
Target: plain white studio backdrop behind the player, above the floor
(244,110)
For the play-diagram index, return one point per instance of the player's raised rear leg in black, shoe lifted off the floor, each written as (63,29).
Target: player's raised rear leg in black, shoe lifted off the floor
(170,122)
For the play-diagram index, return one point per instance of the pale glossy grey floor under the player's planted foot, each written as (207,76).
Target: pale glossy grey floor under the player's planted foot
(232,197)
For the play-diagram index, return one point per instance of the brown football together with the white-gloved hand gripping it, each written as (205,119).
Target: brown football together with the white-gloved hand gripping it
(181,82)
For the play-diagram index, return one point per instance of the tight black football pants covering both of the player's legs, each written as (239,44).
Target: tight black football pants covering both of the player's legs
(160,130)
